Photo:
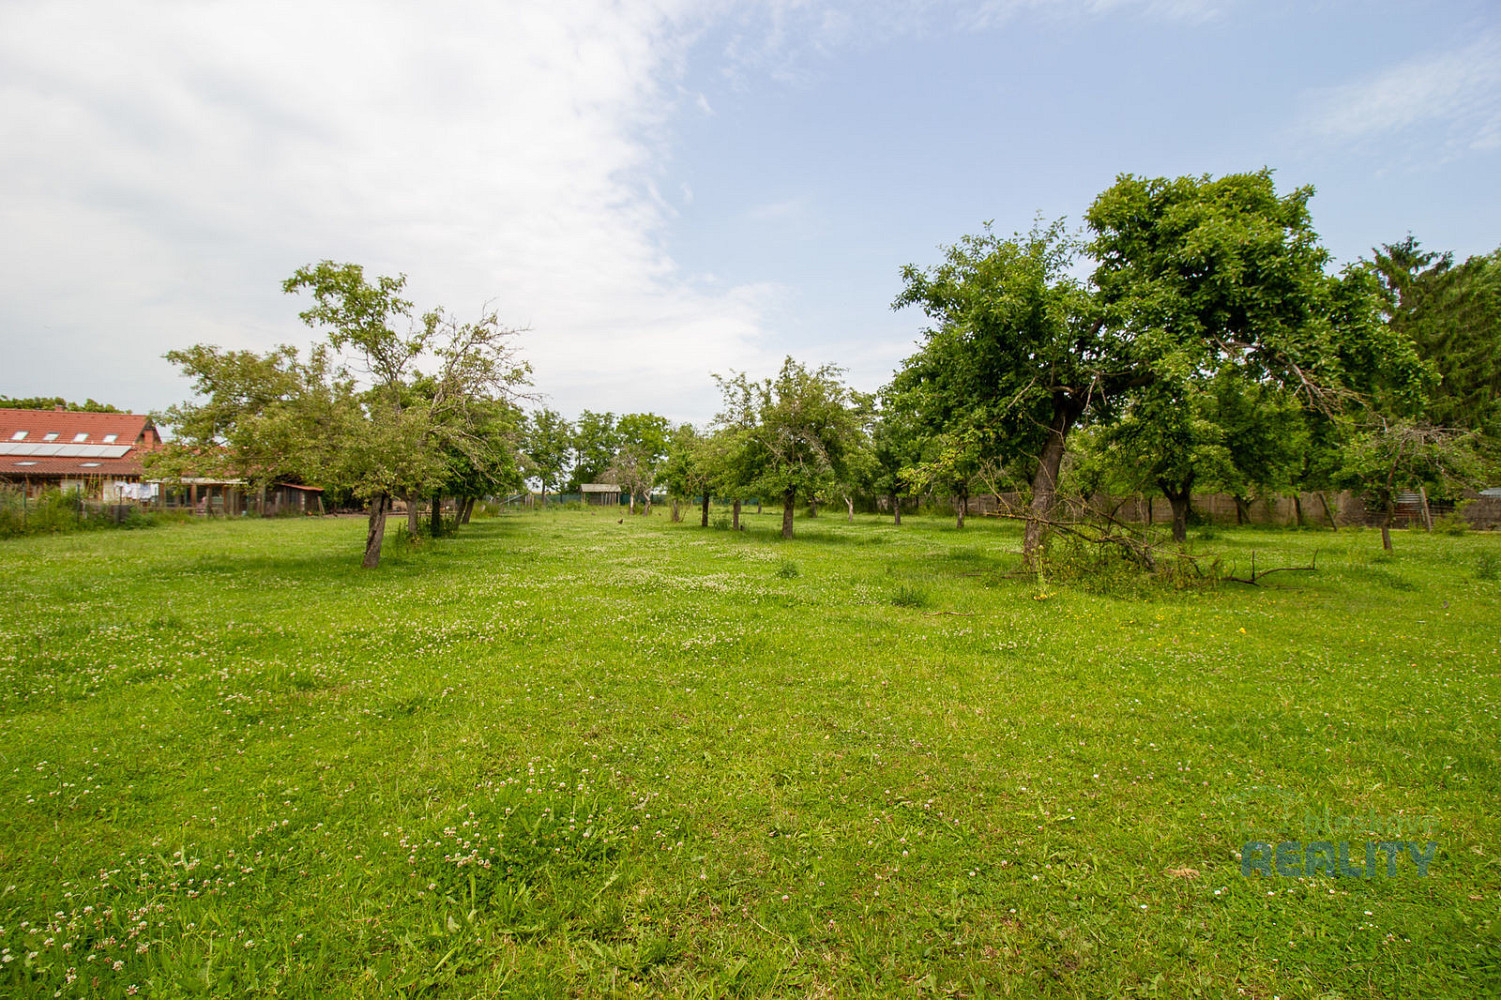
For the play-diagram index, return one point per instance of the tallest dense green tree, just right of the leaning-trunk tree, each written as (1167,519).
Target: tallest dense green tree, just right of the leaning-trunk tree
(1223,288)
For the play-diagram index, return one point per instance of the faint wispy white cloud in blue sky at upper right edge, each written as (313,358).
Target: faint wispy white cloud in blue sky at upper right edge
(1458,94)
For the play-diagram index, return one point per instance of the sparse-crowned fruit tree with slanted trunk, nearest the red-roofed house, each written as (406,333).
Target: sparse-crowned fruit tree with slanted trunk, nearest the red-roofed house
(374,412)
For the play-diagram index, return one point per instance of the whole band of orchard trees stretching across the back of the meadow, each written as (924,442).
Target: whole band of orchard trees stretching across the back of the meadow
(1193,337)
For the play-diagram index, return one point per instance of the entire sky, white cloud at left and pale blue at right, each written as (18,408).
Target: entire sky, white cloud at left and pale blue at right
(660,190)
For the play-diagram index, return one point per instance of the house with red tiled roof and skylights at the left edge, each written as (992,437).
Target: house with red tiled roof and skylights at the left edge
(98,454)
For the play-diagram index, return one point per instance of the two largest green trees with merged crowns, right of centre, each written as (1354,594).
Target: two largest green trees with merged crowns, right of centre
(1199,283)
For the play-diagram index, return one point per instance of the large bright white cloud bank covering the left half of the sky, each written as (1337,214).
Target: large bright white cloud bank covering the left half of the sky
(166,166)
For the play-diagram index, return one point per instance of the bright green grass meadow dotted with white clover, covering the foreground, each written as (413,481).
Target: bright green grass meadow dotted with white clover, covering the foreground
(567,756)
